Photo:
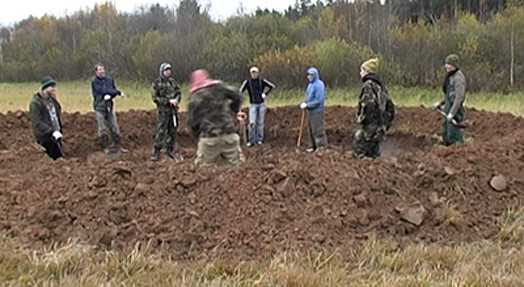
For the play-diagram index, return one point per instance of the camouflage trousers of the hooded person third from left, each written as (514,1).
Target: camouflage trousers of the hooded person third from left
(166,128)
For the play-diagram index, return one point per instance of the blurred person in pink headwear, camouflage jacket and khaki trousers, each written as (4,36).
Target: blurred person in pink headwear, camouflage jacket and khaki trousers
(211,117)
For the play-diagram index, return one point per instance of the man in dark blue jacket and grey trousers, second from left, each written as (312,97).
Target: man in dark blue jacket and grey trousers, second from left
(104,90)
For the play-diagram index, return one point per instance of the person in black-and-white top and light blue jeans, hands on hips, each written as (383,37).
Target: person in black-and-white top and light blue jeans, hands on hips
(258,88)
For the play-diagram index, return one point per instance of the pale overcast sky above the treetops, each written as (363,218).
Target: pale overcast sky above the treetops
(18,10)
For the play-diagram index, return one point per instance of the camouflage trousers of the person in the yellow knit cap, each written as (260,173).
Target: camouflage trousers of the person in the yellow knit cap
(366,142)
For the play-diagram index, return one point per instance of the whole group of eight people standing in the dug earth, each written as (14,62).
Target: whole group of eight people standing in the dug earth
(214,111)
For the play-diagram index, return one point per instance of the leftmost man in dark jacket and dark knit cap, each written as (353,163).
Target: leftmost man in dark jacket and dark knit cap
(46,123)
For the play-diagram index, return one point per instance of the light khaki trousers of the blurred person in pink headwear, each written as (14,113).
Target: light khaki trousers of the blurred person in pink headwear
(224,147)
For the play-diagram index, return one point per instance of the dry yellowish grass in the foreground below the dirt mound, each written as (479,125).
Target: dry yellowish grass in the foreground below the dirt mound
(377,264)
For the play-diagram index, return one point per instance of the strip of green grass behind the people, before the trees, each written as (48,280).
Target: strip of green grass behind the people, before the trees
(76,96)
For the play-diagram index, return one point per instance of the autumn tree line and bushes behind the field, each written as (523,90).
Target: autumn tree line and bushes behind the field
(411,38)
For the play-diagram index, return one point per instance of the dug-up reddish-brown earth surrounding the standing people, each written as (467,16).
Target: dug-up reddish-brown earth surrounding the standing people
(280,199)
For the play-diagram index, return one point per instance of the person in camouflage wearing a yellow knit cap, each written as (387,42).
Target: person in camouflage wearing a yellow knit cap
(374,115)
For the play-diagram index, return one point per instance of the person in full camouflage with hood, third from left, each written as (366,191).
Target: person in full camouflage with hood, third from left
(166,95)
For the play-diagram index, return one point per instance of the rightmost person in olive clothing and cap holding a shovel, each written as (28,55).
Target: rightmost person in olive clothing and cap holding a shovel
(454,89)
